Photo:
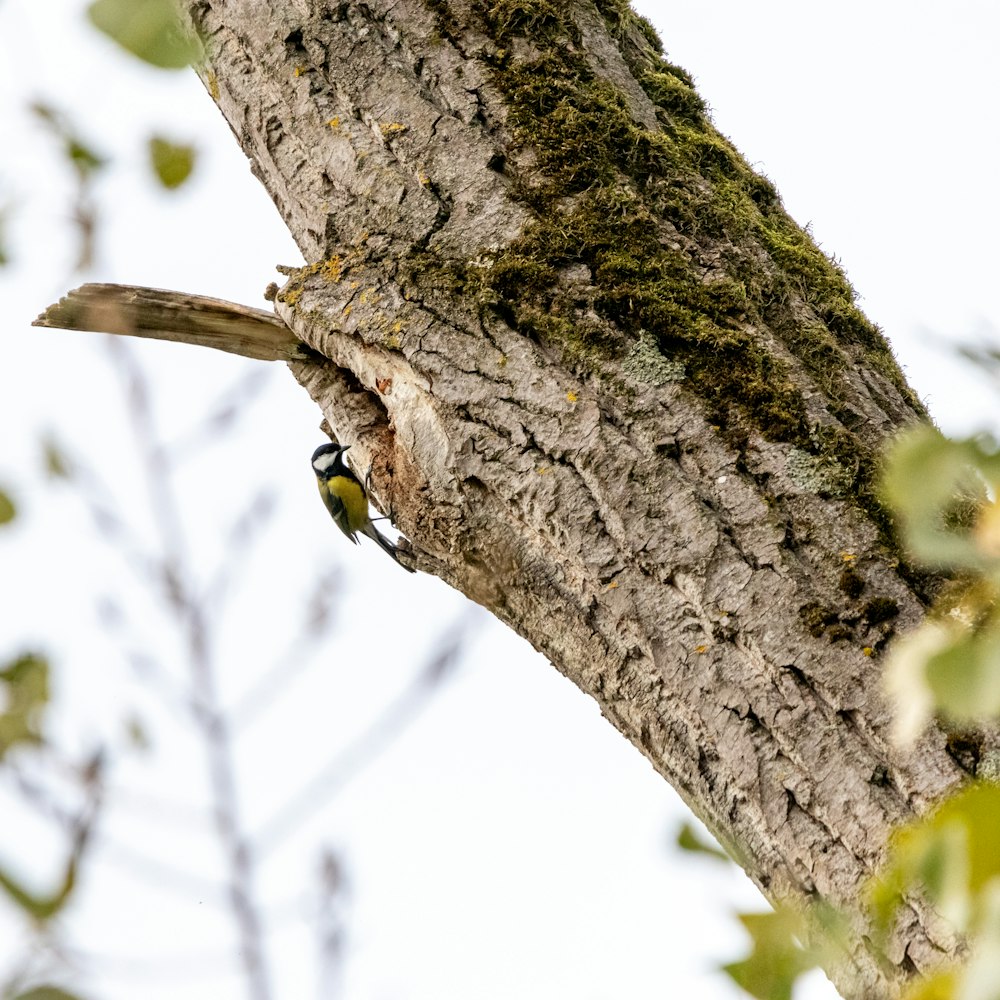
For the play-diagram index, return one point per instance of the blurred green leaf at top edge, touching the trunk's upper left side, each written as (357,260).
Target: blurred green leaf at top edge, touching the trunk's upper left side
(149,29)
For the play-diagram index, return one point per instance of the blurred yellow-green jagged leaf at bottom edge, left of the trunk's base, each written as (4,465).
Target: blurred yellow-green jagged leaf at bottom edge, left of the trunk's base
(776,959)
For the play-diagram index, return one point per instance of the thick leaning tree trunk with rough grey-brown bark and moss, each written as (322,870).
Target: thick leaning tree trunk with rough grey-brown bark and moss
(612,393)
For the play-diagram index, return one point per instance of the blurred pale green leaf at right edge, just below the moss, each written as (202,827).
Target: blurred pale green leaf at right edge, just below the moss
(938,488)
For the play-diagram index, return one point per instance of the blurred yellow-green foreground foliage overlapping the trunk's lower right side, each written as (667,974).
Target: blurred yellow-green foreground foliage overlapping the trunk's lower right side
(945,496)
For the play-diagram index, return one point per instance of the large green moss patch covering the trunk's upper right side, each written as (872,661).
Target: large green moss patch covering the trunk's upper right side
(688,248)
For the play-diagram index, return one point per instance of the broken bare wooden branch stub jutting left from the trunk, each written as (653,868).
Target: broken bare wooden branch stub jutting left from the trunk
(158,314)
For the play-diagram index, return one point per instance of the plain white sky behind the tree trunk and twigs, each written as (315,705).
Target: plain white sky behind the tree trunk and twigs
(510,844)
